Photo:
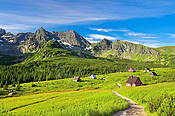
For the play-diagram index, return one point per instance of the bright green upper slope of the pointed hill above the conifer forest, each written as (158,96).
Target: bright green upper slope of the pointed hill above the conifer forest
(53,49)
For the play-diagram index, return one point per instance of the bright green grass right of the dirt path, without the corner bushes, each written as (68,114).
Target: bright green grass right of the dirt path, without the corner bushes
(144,94)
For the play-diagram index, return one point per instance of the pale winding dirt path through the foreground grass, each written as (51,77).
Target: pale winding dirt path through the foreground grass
(133,110)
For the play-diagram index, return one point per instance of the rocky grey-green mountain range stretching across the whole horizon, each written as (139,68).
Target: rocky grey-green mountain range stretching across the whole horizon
(22,43)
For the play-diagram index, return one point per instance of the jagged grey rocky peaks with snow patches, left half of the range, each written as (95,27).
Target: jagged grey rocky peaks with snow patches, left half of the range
(31,42)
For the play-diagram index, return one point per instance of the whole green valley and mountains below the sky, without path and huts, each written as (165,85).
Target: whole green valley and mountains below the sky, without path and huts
(36,78)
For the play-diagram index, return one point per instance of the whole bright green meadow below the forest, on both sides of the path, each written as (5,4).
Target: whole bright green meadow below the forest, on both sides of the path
(92,96)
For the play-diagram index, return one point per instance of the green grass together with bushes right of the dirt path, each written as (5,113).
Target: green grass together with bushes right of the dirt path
(157,98)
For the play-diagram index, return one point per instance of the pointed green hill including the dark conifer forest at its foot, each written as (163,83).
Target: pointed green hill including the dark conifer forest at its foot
(53,59)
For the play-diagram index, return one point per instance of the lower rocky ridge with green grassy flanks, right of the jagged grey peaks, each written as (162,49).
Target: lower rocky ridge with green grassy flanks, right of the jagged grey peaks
(123,49)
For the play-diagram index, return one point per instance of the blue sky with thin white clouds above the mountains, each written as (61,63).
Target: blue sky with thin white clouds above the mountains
(146,22)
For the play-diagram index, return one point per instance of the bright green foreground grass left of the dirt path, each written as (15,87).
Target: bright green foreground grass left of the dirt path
(80,103)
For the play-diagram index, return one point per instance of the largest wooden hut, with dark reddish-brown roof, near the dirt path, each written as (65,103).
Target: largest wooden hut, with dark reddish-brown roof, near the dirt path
(133,81)
